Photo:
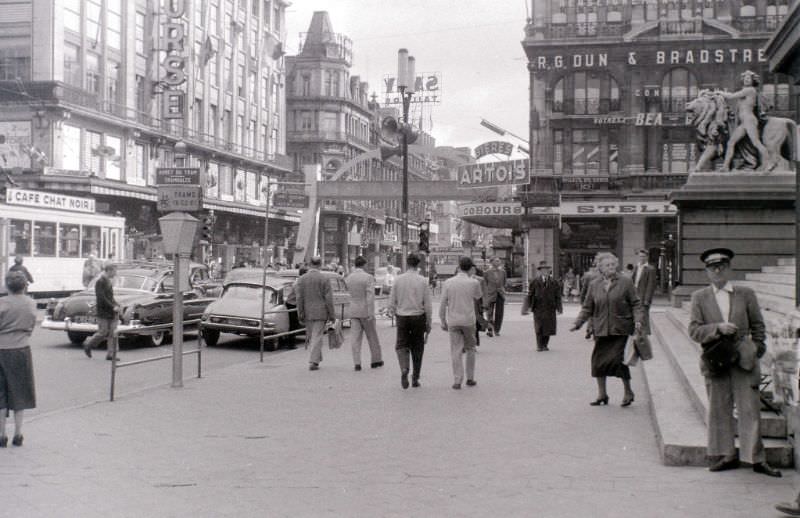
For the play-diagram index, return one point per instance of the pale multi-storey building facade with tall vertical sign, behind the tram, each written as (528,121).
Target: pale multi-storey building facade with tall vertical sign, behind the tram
(95,95)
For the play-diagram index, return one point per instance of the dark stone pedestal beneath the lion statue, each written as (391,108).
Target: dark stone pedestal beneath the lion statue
(752,213)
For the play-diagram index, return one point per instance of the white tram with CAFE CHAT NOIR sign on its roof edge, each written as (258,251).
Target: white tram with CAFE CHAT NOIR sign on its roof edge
(54,234)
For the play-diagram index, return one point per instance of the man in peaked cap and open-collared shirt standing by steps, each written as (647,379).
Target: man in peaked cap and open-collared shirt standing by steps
(718,310)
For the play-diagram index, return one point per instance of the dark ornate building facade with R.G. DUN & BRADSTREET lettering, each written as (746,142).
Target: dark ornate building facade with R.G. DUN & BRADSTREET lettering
(609,84)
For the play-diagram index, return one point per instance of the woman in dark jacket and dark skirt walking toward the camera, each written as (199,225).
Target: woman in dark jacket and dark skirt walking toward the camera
(615,312)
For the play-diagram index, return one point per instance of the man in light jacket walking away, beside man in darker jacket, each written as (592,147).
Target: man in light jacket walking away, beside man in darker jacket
(361,286)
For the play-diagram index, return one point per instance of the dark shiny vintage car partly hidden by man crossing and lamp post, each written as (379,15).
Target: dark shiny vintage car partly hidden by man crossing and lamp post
(145,293)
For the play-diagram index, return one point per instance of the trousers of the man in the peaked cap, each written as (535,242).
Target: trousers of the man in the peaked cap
(740,387)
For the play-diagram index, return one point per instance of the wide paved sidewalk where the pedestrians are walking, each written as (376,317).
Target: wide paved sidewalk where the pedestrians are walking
(275,439)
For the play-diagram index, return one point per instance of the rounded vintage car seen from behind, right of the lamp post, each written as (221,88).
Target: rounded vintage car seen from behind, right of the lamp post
(238,308)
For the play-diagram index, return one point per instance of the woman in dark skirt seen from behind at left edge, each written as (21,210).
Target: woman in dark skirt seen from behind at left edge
(17,319)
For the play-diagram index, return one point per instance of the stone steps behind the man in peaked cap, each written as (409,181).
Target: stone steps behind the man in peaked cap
(678,396)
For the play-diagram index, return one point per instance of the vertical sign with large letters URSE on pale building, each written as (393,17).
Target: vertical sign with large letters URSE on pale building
(174,63)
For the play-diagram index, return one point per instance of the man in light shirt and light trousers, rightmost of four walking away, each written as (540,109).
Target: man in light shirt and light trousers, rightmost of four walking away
(457,314)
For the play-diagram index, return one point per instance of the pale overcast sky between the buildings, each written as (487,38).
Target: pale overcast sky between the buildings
(474,45)
